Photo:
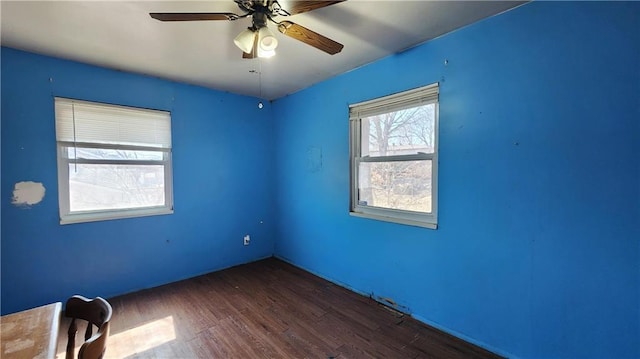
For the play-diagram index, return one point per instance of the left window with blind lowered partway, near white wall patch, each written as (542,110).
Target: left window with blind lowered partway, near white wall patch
(113,161)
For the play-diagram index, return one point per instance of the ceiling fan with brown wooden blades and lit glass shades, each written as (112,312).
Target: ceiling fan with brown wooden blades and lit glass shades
(257,40)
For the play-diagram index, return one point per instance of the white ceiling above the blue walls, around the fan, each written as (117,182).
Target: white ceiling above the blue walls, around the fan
(121,35)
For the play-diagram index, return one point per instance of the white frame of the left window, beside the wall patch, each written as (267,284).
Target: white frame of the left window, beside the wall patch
(64,143)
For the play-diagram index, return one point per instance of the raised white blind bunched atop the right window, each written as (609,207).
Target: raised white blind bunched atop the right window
(394,102)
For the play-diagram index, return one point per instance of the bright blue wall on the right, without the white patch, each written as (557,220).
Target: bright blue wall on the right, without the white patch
(537,252)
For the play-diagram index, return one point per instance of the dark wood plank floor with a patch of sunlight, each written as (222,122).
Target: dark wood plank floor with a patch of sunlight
(267,309)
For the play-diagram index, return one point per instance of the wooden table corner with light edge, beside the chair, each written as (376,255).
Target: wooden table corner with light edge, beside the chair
(32,333)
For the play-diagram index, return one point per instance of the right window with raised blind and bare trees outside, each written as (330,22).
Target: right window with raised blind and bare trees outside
(394,157)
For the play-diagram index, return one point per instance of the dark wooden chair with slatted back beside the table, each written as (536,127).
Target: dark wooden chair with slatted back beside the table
(96,312)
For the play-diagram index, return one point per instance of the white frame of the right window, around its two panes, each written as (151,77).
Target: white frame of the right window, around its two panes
(399,101)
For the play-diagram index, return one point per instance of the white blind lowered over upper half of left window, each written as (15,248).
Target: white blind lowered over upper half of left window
(84,122)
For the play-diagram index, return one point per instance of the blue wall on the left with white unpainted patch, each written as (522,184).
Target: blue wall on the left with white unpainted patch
(222,175)
